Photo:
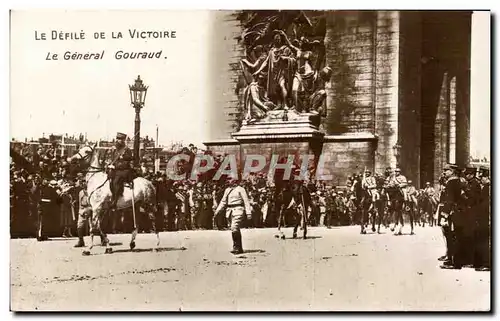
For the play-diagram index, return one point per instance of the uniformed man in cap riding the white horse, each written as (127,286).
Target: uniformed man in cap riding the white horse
(119,170)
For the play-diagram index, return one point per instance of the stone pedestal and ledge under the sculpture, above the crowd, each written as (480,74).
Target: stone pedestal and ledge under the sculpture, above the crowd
(342,155)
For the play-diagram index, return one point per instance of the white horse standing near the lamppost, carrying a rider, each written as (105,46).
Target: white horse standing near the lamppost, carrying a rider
(143,193)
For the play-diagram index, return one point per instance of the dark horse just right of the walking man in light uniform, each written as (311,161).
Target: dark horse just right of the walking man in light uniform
(294,197)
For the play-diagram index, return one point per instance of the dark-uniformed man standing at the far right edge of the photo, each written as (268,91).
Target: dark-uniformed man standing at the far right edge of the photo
(482,234)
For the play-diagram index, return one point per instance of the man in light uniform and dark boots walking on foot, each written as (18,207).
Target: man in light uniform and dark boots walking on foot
(235,201)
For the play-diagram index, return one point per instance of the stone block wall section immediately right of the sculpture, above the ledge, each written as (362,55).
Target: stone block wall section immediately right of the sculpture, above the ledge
(349,52)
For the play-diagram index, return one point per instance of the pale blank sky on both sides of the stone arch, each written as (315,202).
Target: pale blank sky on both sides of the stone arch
(92,97)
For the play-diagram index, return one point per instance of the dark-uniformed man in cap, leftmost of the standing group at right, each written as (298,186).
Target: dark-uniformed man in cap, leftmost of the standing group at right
(452,222)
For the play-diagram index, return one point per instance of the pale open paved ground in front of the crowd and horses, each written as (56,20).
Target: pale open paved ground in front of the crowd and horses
(336,269)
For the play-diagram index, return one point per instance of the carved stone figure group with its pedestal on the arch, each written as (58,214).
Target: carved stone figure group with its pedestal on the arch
(284,92)
